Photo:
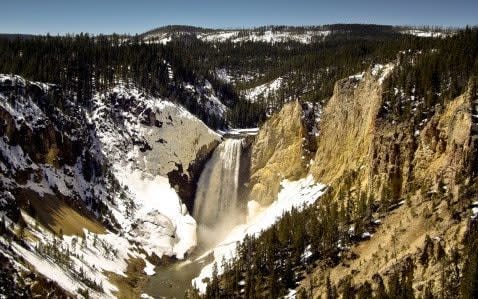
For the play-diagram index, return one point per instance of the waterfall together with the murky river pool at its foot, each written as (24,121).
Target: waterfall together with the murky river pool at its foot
(216,210)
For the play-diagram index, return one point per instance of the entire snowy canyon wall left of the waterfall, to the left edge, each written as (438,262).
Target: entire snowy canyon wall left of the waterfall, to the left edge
(108,177)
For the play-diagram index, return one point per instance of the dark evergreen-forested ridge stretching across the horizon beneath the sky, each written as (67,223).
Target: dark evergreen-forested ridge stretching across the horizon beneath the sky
(438,67)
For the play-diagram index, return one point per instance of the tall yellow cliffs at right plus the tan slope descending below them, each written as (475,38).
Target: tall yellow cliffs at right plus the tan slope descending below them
(426,164)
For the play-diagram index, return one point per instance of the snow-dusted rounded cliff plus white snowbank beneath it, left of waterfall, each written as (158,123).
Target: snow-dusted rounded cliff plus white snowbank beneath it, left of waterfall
(142,147)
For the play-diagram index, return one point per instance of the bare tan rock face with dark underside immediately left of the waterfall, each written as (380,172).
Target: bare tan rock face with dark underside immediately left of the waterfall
(179,146)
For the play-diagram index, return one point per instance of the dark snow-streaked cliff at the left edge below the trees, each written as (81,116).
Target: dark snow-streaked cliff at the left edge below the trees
(25,123)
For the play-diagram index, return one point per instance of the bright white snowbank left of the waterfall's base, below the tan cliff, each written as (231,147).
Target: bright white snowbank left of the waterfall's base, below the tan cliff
(161,224)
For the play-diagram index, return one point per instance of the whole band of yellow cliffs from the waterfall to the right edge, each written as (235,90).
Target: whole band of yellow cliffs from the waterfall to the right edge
(356,148)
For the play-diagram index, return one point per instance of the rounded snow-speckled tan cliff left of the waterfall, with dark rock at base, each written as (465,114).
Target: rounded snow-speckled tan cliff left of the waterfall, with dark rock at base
(157,137)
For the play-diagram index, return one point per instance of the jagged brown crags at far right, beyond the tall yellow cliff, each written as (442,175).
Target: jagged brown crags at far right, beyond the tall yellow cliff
(406,158)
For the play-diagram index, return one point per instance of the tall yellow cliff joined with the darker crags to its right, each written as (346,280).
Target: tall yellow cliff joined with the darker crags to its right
(389,158)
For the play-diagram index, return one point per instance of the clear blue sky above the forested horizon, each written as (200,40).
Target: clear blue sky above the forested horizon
(136,16)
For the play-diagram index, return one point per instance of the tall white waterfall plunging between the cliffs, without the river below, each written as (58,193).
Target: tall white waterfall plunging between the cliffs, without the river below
(217,191)
